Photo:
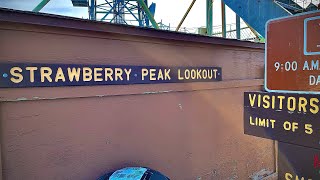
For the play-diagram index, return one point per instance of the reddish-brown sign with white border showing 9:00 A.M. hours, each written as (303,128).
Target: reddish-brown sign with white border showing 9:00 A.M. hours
(293,54)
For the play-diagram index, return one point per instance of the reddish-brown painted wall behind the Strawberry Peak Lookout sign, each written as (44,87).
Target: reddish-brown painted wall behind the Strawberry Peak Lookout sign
(186,131)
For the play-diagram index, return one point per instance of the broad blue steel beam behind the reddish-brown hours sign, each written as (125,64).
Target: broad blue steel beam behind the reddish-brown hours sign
(256,12)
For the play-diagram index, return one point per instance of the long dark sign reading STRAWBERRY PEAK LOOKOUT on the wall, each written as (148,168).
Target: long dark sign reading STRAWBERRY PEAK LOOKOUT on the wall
(46,75)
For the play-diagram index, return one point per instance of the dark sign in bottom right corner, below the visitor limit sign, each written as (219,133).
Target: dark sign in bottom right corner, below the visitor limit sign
(298,162)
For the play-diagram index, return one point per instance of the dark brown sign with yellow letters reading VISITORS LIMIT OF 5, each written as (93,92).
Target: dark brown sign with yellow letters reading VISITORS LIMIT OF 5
(291,118)
